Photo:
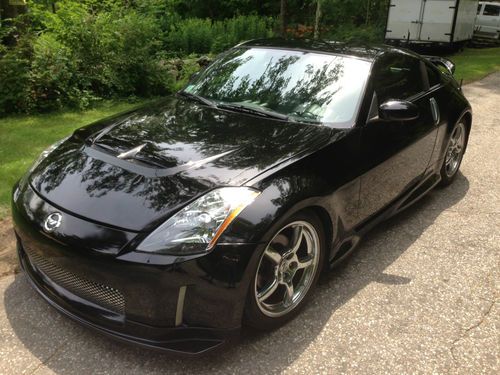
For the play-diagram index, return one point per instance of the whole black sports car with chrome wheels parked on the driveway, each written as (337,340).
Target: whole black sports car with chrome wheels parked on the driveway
(173,225)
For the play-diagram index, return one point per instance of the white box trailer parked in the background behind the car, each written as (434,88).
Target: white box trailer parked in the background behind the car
(441,22)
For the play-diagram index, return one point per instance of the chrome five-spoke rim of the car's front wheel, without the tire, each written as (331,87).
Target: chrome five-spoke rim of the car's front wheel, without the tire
(287,269)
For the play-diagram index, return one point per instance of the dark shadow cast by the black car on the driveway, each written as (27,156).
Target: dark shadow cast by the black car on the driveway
(73,348)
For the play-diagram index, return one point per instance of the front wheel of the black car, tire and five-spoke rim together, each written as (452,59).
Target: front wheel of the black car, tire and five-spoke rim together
(287,272)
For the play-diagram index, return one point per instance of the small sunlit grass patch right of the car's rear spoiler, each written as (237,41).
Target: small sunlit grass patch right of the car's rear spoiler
(476,63)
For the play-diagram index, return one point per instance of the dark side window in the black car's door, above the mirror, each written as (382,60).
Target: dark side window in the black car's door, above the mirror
(398,77)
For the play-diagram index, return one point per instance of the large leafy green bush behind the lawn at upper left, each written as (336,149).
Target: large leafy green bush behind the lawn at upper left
(80,56)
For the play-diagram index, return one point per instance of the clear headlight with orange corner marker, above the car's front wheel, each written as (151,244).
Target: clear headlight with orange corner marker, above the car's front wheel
(197,227)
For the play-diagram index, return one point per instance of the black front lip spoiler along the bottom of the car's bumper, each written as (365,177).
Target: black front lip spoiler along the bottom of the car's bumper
(194,343)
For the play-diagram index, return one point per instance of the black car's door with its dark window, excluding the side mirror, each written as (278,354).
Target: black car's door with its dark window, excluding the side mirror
(396,154)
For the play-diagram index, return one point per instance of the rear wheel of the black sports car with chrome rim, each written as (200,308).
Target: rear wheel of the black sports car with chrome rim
(454,154)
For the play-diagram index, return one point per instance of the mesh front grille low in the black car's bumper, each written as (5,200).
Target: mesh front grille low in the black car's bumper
(101,295)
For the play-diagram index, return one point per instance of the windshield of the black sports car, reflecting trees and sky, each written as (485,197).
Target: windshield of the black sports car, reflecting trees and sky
(304,86)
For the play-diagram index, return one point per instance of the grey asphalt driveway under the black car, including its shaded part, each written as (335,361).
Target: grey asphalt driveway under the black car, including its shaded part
(420,295)
